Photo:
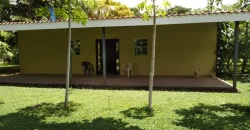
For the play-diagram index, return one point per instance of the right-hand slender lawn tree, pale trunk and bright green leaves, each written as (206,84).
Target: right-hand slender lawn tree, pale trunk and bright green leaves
(149,11)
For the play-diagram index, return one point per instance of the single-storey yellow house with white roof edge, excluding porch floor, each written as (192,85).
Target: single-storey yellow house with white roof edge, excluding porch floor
(184,43)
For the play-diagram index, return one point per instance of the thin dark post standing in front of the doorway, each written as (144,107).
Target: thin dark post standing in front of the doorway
(104,54)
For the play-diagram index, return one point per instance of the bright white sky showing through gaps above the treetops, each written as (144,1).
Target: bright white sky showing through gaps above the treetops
(185,3)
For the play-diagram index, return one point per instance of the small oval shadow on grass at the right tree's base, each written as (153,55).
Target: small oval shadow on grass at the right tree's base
(138,113)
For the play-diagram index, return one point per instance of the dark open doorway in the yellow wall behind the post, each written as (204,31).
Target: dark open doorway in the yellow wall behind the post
(112,56)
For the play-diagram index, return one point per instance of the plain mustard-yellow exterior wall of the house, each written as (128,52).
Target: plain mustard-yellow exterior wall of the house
(180,49)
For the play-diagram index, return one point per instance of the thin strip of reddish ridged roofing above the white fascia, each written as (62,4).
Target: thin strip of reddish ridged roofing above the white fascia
(171,15)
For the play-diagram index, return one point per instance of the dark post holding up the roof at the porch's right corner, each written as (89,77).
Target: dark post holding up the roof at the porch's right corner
(236,51)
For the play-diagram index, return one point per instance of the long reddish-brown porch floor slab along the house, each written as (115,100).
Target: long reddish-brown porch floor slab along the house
(118,82)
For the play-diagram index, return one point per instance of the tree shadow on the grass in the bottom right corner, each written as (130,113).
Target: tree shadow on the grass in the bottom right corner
(227,116)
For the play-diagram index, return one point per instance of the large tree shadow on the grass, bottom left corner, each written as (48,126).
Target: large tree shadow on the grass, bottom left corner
(35,117)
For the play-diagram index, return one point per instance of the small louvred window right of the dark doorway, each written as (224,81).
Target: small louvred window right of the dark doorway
(141,47)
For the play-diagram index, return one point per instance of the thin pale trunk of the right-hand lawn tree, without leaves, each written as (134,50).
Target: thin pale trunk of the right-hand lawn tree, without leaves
(151,78)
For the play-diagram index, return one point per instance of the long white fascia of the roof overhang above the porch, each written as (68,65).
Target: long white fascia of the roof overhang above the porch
(121,22)
